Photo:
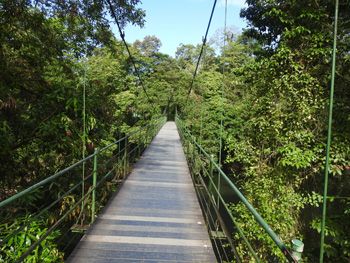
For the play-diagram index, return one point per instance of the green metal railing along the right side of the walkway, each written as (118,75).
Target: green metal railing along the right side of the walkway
(203,169)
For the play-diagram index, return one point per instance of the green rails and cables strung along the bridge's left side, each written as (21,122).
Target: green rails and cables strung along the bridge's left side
(137,141)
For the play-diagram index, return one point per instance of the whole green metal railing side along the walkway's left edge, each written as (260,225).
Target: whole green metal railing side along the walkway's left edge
(103,171)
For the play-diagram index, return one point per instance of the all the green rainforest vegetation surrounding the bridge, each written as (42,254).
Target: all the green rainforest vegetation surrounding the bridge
(276,80)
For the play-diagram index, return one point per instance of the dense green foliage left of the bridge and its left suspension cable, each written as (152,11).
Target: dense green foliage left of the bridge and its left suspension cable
(47,49)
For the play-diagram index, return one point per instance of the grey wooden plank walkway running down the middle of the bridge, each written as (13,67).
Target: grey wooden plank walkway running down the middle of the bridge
(154,216)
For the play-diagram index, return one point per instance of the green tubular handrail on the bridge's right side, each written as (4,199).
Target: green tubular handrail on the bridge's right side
(288,253)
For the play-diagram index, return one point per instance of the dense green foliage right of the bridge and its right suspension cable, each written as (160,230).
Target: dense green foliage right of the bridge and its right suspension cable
(275,122)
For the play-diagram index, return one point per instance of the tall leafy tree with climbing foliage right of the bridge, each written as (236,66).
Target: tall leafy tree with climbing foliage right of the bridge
(287,127)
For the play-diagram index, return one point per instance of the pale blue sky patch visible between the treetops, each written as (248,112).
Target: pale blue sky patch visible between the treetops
(183,21)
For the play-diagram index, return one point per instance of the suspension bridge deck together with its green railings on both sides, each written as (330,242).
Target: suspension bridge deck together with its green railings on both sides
(167,207)
